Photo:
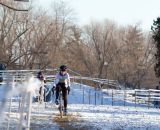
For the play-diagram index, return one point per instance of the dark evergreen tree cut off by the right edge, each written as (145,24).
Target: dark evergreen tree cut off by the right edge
(156,37)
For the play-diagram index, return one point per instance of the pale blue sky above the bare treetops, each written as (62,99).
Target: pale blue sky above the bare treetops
(121,11)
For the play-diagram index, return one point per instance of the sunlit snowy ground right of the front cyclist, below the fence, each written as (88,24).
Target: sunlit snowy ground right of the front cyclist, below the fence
(108,117)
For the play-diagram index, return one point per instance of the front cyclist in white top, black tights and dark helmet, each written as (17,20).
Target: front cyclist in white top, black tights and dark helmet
(62,81)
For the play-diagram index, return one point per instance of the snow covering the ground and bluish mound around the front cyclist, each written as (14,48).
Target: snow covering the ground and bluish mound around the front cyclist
(90,114)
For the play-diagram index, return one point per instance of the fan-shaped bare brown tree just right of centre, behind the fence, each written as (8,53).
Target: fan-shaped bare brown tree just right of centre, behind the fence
(100,38)
